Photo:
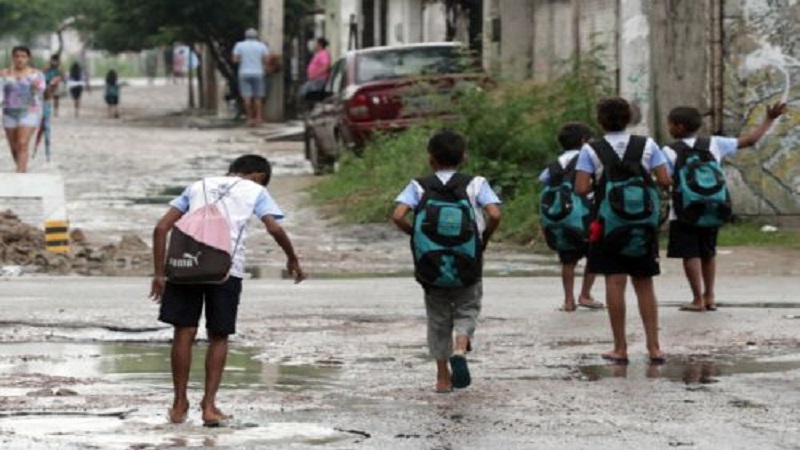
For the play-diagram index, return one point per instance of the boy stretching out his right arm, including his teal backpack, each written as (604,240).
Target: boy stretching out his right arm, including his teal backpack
(701,201)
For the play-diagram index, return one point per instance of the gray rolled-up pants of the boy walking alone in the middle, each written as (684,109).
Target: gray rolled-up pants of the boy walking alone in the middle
(449,310)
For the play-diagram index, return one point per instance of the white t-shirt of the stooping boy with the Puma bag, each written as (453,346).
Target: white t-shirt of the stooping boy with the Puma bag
(240,200)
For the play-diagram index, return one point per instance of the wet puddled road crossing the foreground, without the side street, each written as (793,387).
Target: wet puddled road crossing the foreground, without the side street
(343,364)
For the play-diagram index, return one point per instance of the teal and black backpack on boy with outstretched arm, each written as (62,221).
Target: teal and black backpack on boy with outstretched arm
(700,195)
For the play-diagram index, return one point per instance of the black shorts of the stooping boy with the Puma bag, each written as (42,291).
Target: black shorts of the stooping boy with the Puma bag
(182,305)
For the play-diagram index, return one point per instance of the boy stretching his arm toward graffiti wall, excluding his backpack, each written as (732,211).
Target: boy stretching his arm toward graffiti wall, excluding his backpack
(697,245)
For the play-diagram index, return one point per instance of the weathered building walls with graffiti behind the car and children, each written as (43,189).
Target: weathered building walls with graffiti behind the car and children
(726,57)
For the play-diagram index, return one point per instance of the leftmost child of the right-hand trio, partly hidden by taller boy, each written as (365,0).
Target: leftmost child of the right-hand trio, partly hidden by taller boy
(564,216)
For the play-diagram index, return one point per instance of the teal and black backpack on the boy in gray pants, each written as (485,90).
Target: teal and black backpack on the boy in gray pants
(445,242)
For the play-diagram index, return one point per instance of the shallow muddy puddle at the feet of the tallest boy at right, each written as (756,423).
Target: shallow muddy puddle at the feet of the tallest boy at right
(691,370)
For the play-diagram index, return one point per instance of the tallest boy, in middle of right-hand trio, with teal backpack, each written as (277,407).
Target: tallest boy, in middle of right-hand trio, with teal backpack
(623,239)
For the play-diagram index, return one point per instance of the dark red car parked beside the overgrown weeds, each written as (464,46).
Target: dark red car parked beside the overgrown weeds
(384,89)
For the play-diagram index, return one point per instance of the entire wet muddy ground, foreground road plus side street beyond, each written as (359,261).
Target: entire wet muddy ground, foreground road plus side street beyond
(342,363)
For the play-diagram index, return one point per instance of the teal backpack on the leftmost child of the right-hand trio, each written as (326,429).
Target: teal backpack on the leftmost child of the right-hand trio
(564,216)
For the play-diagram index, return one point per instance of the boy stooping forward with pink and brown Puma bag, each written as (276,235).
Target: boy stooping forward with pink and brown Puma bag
(205,266)
